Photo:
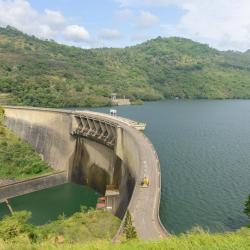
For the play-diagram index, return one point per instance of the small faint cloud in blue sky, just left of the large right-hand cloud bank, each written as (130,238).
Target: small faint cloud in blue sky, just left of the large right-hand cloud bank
(147,20)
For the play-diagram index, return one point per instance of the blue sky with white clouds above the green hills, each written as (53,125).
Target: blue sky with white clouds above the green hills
(222,24)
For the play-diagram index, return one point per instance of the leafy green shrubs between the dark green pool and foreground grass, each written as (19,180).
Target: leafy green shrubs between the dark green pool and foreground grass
(82,227)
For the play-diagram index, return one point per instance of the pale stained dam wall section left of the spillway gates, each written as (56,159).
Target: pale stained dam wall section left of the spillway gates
(48,132)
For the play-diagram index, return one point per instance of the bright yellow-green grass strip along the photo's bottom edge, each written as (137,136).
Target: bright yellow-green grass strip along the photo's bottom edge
(196,240)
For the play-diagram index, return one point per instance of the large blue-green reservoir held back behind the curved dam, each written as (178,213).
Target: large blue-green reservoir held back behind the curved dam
(204,153)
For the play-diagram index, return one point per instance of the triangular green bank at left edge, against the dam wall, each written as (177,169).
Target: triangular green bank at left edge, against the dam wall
(17,159)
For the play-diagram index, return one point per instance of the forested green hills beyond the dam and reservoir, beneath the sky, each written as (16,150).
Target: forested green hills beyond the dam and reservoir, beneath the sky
(44,73)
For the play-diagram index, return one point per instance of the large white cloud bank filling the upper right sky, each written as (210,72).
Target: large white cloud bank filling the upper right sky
(224,24)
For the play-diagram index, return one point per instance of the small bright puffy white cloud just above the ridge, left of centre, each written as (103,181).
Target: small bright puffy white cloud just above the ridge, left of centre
(76,33)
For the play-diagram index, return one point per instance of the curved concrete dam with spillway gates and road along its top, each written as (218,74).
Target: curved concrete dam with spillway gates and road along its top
(98,150)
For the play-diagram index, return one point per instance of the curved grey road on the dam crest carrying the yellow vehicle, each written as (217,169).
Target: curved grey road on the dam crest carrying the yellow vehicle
(145,202)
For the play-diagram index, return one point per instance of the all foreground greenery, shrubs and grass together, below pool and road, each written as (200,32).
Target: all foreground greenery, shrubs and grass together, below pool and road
(94,230)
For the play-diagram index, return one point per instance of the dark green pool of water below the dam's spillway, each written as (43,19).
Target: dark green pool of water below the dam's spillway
(46,205)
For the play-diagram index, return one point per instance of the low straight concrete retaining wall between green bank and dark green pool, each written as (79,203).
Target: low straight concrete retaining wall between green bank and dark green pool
(31,185)
